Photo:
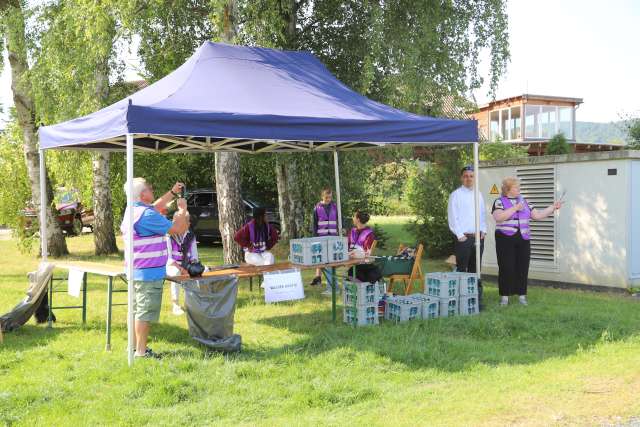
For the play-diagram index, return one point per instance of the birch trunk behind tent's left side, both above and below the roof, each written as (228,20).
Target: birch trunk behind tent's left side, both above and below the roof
(104,237)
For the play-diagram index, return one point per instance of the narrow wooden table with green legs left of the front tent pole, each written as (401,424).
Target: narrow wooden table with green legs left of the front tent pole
(105,270)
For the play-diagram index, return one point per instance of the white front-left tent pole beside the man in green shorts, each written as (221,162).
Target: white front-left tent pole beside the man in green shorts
(129,252)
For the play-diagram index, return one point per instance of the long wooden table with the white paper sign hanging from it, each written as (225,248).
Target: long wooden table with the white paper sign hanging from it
(250,271)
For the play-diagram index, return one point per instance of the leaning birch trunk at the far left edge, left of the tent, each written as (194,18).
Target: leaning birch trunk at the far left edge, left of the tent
(25,112)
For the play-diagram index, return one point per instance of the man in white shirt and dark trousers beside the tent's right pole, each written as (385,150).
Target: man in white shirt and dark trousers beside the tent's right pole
(462,223)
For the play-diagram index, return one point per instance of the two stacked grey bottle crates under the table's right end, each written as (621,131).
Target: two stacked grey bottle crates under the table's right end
(361,303)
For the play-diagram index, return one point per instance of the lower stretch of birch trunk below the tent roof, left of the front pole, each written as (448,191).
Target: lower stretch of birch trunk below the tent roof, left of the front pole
(104,237)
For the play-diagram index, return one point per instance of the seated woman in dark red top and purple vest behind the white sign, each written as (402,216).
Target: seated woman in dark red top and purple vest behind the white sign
(256,238)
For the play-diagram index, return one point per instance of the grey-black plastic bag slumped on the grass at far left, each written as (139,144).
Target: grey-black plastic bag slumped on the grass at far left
(35,302)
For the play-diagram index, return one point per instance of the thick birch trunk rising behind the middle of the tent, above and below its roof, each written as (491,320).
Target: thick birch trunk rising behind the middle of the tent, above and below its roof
(230,205)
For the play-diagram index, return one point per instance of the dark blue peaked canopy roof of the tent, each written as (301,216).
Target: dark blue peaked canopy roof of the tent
(250,99)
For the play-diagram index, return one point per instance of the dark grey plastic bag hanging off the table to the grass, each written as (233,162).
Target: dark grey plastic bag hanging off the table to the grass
(210,305)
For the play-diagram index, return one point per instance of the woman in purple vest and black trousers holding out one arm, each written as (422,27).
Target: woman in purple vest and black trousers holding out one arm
(513,247)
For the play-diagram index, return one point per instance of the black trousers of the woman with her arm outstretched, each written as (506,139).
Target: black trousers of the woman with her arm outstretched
(513,254)
